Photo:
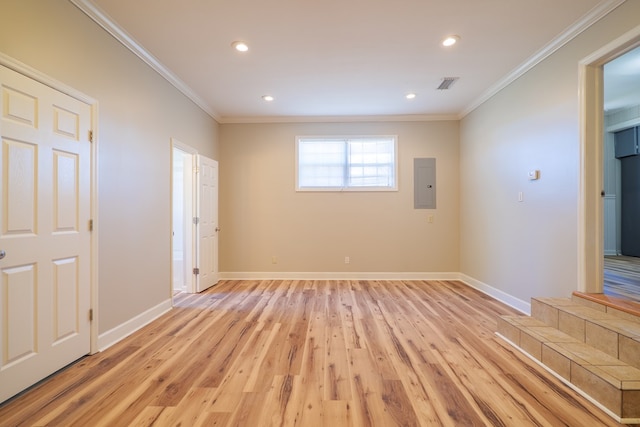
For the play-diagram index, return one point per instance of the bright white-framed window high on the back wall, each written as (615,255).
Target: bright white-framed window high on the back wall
(362,163)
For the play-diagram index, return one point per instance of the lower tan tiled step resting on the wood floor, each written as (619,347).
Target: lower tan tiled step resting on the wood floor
(605,378)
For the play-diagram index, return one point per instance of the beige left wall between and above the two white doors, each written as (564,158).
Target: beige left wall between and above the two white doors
(139,112)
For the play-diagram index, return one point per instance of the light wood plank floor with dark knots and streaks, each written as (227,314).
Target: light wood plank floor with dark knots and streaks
(311,353)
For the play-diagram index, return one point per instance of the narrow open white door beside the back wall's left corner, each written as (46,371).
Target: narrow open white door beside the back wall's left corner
(207,223)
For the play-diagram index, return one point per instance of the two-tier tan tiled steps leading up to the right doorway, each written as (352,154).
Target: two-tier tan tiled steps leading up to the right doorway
(594,351)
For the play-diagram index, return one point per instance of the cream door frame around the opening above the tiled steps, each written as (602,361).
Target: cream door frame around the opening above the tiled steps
(590,205)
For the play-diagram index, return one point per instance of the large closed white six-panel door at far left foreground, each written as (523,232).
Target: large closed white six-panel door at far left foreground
(44,231)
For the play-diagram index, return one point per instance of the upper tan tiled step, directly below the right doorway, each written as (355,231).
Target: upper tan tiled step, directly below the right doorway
(614,335)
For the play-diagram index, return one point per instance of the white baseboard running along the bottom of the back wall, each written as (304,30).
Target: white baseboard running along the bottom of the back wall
(301,275)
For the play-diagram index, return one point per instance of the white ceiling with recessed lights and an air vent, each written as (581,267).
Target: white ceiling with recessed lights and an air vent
(333,58)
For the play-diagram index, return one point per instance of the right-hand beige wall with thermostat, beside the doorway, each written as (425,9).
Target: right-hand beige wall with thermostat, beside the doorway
(529,248)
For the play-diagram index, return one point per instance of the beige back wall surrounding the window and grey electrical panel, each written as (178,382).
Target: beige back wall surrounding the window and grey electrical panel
(262,215)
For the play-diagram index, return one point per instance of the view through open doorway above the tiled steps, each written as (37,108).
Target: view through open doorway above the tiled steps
(621,176)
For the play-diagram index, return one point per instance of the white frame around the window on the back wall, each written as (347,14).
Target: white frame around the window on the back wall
(347,188)
